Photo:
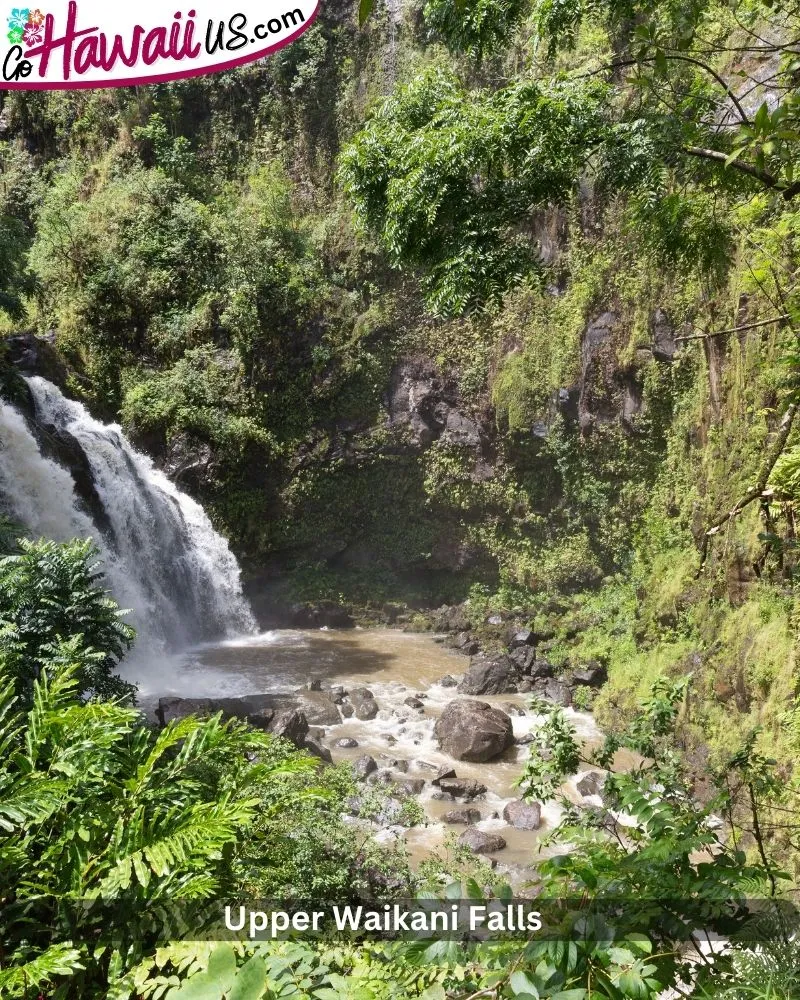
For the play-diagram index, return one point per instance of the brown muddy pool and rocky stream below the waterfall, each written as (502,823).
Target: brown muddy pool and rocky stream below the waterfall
(393,665)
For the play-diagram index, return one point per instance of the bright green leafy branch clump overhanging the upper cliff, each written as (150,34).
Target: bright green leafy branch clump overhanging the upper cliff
(449,178)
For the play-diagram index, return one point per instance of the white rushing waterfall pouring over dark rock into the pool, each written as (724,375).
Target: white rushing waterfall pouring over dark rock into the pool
(162,558)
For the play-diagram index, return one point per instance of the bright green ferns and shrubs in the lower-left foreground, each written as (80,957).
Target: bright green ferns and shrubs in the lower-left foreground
(104,819)
